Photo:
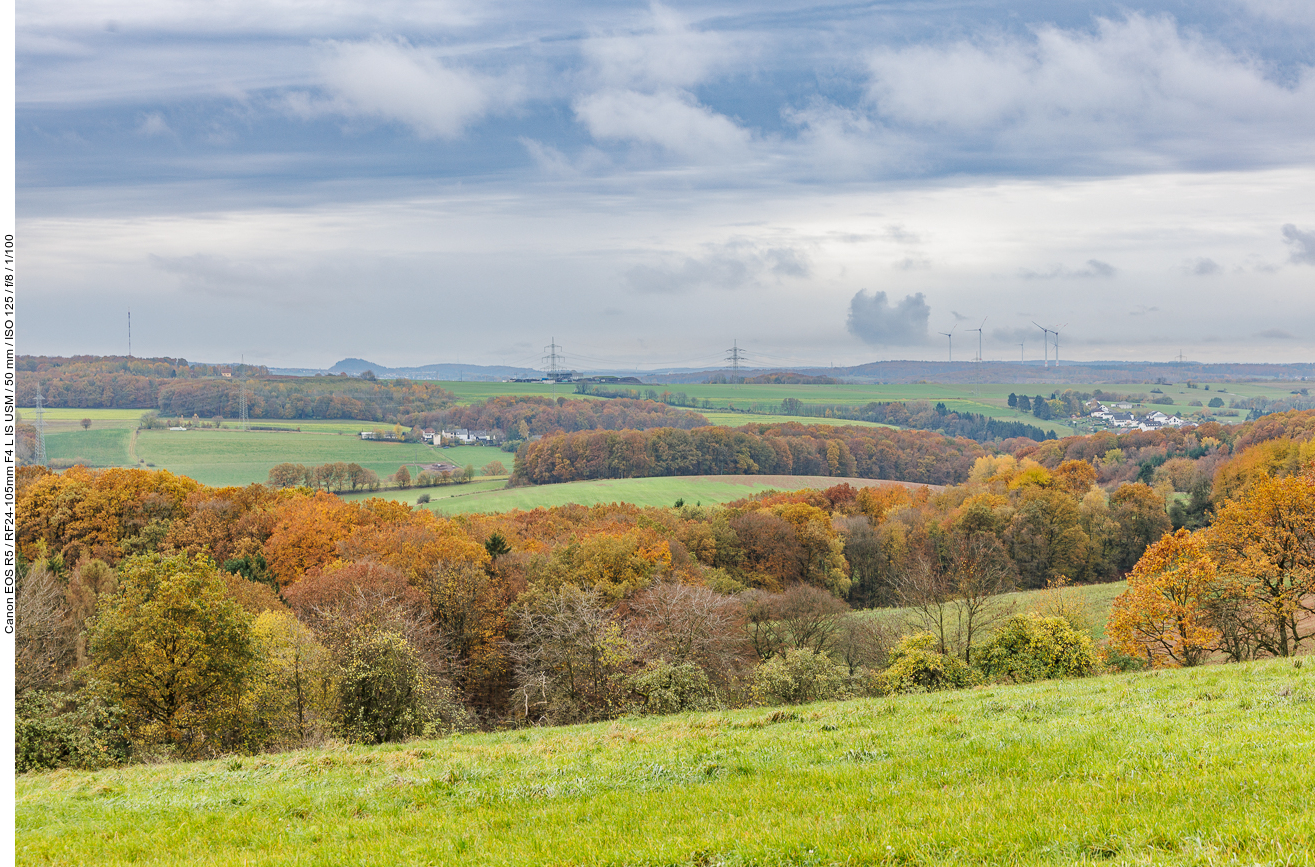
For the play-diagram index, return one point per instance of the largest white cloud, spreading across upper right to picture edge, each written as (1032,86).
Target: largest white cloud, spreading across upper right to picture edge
(1134,93)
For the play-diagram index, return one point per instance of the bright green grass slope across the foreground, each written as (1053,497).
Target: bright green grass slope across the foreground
(1205,766)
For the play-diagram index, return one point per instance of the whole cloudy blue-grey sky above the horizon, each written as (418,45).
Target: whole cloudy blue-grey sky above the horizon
(649,185)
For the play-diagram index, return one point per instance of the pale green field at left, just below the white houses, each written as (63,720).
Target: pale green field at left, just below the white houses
(235,457)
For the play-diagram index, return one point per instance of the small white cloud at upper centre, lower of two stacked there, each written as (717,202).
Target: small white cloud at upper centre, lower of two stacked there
(671,120)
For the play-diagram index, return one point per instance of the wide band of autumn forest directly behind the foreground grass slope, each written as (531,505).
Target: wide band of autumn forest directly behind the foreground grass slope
(162,619)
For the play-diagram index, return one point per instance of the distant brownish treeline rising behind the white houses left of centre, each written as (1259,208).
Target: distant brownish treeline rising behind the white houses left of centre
(521,418)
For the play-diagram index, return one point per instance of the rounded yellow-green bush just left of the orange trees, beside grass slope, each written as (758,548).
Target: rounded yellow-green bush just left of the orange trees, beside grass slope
(1033,648)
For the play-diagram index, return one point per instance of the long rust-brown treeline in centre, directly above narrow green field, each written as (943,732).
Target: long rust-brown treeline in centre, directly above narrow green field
(791,449)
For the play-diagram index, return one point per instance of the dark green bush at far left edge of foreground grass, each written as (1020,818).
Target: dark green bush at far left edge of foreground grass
(77,731)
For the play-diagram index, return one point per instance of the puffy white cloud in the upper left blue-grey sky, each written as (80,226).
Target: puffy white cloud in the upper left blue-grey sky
(396,82)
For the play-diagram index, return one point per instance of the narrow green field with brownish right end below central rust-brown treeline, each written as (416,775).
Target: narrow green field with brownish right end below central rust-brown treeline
(656,491)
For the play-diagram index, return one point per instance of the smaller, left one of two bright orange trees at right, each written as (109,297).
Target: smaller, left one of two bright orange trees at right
(1164,614)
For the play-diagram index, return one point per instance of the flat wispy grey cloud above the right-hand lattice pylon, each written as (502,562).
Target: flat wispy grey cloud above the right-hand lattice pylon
(729,268)
